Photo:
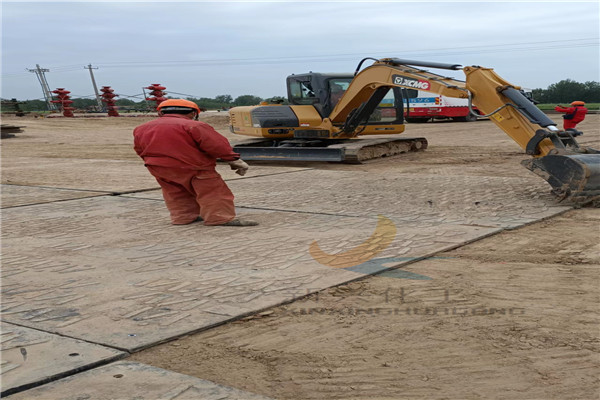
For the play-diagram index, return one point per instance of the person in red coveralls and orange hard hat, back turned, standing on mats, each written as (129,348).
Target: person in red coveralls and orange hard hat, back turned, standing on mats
(181,153)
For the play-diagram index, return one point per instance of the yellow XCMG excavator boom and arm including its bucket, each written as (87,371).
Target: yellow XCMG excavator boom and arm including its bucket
(572,171)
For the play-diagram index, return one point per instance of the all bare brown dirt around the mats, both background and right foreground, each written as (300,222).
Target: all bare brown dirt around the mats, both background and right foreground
(512,316)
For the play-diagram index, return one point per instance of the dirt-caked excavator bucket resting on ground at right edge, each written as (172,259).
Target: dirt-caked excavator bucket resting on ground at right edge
(575,176)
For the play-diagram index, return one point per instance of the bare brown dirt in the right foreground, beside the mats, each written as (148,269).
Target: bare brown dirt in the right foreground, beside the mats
(514,316)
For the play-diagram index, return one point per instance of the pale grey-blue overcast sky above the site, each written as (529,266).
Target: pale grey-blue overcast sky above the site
(205,49)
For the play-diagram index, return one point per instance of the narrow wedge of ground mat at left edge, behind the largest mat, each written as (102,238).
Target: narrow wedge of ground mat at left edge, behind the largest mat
(16,195)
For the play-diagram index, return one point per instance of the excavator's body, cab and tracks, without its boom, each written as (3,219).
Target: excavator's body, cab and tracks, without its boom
(304,130)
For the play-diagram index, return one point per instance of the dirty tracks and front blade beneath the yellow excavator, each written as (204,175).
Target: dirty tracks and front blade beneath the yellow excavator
(350,151)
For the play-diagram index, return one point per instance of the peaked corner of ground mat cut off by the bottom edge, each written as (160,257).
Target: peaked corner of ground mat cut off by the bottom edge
(130,381)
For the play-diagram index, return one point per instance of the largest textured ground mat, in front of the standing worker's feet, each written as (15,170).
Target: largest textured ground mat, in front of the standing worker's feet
(112,270)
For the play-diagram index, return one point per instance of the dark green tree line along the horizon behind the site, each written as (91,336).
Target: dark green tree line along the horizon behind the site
(564,91)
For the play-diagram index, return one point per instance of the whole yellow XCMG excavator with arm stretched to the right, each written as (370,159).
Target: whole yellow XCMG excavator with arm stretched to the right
(327,113)
